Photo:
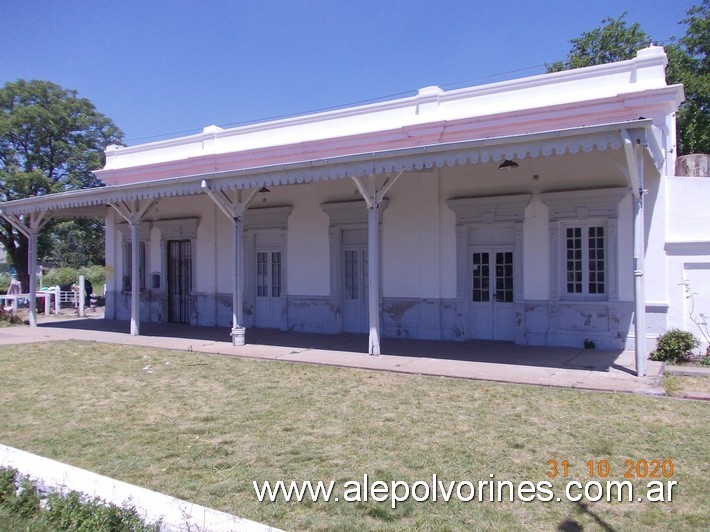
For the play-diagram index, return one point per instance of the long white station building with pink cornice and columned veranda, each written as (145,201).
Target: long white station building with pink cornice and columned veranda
(540,211)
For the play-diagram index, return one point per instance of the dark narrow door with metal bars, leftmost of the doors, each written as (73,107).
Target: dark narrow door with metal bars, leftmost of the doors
(179,281)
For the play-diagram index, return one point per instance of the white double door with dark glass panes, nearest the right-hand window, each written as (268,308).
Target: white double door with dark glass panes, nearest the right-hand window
(491,308)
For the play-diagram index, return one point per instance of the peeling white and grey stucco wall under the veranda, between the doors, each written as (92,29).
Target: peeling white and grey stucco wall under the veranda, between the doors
(419,271)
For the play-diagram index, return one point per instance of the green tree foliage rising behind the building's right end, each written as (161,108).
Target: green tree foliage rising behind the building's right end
(688,63)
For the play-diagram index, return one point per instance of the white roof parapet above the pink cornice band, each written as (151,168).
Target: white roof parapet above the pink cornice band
(501,101)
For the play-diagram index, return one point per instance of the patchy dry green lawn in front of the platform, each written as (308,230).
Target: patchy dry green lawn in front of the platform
(202,428)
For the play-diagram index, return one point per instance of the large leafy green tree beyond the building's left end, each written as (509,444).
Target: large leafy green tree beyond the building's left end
(50,141)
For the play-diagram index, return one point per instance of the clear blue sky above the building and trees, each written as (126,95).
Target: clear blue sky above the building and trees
(166,68)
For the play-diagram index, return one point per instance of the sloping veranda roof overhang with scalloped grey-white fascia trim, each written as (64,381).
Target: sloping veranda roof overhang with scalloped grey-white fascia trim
(540,144)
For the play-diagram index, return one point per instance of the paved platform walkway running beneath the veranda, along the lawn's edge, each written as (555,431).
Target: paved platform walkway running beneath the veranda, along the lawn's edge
(486,360)
